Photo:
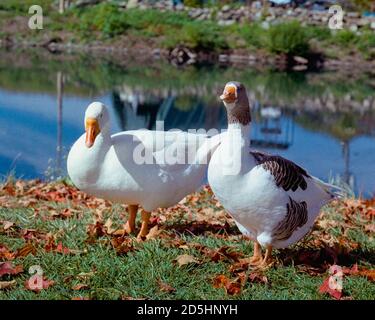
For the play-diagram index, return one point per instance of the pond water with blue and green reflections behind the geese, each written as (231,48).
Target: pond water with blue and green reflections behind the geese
(322,121)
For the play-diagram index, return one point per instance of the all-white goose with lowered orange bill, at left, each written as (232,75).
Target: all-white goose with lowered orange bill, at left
(113,166)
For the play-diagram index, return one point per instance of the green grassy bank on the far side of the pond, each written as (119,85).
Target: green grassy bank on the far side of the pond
(109,25)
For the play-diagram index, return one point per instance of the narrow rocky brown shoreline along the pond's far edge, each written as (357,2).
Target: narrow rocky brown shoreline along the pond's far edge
(181,56)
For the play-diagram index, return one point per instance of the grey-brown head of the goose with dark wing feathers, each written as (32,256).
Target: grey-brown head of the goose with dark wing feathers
(236,102)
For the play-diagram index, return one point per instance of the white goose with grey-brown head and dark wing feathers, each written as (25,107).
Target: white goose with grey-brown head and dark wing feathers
(272,199)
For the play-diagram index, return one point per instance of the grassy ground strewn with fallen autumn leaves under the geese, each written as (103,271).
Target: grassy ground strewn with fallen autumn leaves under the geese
(194,250)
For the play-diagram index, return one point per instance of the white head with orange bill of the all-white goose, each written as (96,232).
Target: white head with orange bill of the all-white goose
(96,122)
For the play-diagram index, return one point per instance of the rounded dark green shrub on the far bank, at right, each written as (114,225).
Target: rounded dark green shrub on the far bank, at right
(289,38)
